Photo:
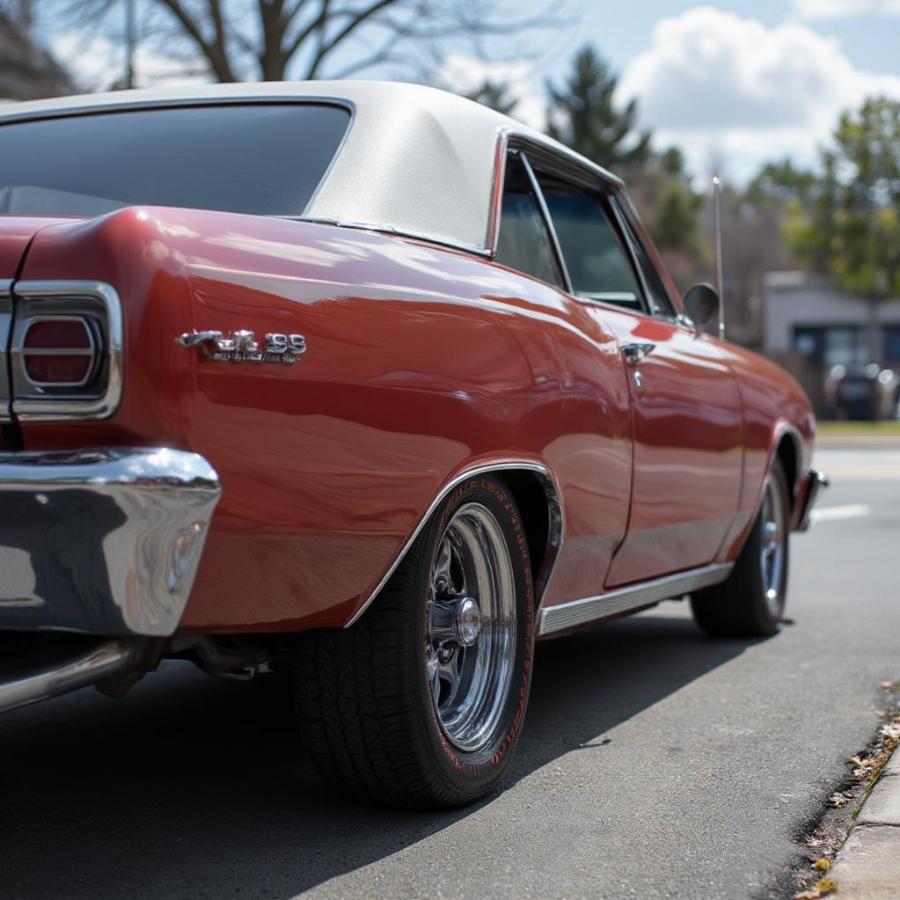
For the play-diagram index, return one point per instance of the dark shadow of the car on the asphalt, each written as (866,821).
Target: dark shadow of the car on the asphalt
(197,788)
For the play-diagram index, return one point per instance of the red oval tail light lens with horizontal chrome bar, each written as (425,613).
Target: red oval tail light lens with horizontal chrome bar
(59,351)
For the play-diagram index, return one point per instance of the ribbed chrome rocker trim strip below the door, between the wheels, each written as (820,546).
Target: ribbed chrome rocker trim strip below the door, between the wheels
(589,609)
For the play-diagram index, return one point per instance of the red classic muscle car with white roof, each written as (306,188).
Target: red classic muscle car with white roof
(367,385)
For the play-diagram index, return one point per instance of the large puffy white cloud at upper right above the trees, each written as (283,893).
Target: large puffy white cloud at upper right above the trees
(725,86)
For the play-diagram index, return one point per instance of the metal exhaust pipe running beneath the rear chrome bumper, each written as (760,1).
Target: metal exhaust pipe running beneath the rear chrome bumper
(67,674)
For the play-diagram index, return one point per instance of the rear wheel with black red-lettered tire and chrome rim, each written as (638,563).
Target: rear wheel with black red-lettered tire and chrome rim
(421,702)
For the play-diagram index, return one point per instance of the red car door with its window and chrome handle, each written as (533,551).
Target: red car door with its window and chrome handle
(686,409)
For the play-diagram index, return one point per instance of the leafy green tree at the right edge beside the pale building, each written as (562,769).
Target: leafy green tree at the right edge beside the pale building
(853,227)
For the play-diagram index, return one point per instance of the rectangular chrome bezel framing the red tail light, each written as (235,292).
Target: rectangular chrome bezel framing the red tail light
(48,294)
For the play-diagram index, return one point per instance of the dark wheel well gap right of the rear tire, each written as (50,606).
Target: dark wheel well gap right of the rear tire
(539,507)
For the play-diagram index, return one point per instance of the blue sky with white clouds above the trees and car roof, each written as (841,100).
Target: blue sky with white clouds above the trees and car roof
(734,84)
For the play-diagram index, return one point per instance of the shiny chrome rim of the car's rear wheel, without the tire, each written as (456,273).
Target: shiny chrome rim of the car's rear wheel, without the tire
(470,640)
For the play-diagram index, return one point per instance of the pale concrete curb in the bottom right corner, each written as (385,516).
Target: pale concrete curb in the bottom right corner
(868,865)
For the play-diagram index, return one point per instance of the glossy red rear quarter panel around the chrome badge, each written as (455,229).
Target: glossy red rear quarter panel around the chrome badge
(421,362)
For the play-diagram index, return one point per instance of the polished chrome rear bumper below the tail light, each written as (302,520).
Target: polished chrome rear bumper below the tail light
(103,542)
